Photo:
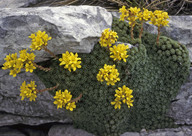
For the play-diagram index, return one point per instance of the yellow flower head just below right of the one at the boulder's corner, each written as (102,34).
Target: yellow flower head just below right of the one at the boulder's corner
(119,52)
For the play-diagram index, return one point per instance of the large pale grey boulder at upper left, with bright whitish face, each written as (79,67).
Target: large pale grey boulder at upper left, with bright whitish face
(72,28)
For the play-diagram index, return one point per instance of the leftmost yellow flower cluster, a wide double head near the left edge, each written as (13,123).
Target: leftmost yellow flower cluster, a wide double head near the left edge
(15,64)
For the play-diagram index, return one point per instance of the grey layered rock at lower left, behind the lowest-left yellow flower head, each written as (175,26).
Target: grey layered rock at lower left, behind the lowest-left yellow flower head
(15,111)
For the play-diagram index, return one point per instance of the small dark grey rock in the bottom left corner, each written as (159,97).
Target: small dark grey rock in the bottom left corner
(6,131)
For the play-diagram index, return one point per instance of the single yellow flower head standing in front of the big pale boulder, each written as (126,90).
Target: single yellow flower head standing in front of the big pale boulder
(39,40)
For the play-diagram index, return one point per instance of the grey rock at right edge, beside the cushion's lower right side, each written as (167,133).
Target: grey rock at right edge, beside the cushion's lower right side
(181,106)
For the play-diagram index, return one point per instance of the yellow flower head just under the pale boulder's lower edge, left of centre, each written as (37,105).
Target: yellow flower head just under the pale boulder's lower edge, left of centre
(70,61)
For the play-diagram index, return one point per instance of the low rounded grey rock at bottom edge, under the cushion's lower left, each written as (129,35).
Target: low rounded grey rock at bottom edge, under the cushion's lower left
(67,130)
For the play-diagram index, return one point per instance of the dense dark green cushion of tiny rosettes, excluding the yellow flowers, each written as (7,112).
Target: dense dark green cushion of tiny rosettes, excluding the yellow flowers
(154,73)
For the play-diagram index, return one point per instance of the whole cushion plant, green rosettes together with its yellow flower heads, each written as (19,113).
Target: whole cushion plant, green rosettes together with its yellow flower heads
(153,72)
